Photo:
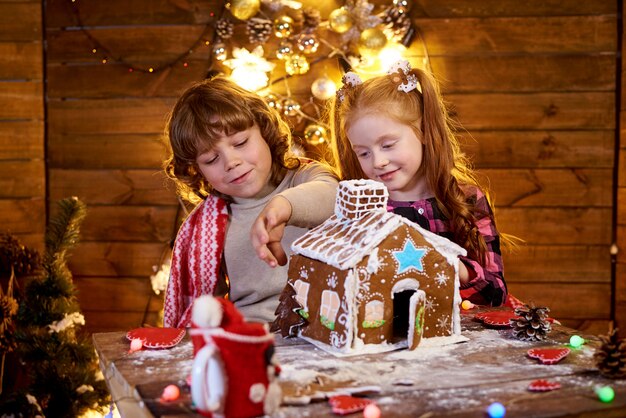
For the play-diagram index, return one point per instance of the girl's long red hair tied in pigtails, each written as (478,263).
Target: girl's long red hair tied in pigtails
(445,167)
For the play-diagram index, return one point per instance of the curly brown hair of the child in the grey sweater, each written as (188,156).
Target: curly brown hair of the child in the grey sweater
(204,113)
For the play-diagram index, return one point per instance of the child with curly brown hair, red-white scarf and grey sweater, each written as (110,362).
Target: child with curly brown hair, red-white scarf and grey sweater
(230,150)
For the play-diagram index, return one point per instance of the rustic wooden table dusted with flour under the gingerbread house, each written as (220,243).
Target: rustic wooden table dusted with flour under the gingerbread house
(458,380)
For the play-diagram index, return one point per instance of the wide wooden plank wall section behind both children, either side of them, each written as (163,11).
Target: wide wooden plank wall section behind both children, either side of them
(533,82)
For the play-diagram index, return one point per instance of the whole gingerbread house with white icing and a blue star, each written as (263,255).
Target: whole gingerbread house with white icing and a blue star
(368,280)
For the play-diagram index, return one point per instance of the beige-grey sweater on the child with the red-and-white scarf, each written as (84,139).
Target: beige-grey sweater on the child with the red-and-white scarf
(255,286)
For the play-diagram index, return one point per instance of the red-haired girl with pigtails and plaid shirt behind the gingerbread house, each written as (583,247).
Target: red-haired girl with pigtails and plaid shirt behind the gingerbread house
(395,129)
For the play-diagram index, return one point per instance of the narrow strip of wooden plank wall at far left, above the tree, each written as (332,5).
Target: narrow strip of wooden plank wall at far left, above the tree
(22,162)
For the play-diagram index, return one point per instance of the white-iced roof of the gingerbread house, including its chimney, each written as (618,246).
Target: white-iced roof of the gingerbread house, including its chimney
(360,223)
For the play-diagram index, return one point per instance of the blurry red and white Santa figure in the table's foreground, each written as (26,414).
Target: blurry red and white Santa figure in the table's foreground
(233,373)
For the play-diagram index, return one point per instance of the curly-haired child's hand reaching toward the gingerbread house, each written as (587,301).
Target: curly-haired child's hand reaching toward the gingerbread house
(268,229)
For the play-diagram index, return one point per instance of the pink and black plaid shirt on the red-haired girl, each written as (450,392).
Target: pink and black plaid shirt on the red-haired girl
(486,285)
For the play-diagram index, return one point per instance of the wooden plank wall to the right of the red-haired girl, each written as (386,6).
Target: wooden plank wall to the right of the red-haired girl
(534,84)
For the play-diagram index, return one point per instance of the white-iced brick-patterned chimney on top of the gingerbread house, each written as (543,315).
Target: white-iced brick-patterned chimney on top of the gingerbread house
(356,198)
